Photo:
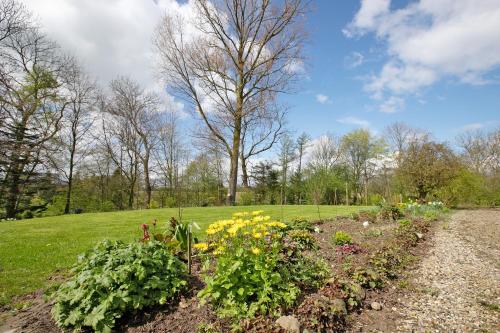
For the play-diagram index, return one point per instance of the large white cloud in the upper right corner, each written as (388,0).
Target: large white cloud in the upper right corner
(430,40)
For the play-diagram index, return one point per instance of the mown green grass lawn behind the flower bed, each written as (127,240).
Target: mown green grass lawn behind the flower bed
(33,250)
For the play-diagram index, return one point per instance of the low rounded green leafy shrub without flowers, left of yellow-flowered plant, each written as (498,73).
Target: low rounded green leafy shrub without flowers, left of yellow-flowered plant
(115,278)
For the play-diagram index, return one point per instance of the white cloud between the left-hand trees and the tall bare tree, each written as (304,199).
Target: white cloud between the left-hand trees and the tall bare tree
(112,37)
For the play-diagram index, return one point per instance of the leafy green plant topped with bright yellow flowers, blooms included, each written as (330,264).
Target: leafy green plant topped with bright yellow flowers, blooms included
(257,269)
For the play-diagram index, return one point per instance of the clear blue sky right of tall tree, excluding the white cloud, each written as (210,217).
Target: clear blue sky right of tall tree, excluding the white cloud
(445,107)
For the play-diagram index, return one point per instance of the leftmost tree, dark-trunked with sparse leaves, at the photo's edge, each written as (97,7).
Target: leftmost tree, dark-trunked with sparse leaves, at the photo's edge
(32,102)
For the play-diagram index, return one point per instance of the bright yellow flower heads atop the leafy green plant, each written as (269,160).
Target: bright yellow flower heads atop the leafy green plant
(253,224)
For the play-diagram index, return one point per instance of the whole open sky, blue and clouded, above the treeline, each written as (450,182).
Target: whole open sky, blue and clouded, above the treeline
(434,64)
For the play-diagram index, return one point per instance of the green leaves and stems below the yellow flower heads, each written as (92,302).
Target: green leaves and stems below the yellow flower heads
(245,283)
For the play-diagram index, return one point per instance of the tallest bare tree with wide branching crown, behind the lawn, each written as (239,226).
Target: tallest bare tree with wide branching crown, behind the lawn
(241,52)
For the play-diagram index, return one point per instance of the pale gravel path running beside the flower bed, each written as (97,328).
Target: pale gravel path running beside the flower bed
(458,282)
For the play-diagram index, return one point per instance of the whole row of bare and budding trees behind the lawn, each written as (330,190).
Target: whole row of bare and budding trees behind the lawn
(70,146)
